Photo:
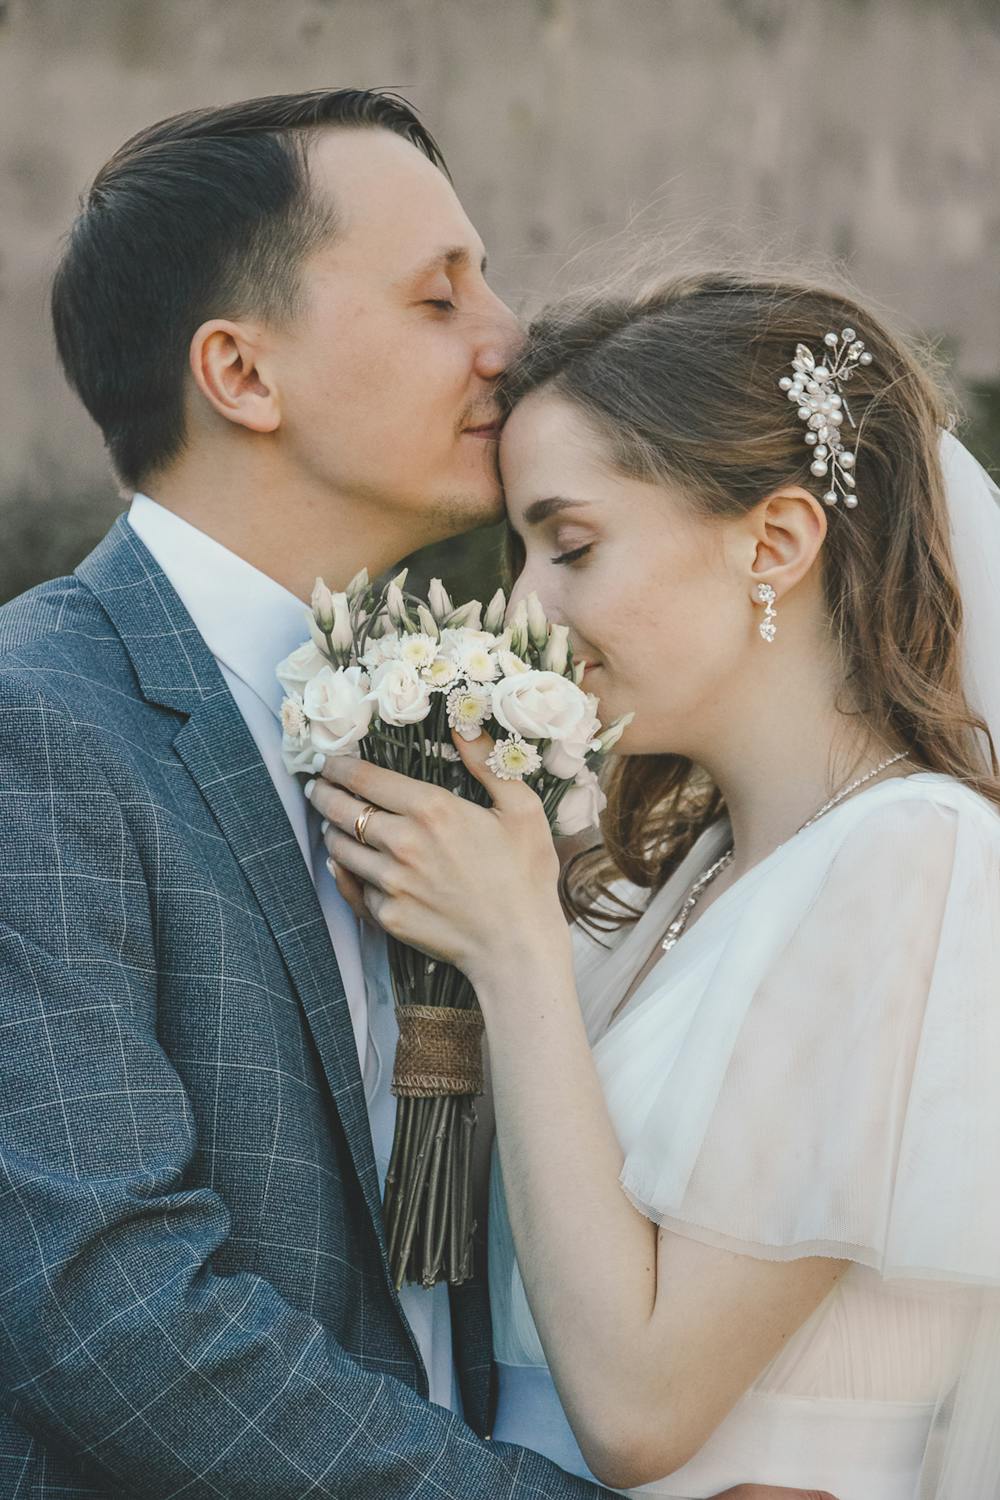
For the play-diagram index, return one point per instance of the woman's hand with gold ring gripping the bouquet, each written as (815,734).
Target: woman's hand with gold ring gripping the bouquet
(463,883)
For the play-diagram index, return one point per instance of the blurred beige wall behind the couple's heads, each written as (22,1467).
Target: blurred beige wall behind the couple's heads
(866,130)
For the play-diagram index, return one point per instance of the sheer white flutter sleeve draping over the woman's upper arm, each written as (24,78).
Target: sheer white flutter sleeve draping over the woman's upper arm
(828,1081)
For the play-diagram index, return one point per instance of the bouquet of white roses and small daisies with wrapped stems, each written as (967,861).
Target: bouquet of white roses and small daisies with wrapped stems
(389,677)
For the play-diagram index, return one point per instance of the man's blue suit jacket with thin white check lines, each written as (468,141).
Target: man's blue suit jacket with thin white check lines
(194,1288)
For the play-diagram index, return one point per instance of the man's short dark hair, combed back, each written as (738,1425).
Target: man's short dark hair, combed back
(208,214)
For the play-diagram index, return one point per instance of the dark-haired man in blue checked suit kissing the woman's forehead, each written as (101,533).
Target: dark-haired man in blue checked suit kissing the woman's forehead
(278,316)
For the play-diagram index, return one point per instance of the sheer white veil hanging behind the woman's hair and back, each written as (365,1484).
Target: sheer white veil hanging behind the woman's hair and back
(965,1451)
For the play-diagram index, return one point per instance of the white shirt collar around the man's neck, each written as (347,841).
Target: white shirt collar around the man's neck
(248,622)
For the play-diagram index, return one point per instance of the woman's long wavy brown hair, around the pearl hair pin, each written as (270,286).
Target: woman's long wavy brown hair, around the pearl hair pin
(683,385)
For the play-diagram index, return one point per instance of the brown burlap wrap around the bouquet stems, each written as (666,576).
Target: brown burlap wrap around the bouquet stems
(439,1052)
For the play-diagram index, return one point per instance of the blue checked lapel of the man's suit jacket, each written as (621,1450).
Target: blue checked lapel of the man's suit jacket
(178,671)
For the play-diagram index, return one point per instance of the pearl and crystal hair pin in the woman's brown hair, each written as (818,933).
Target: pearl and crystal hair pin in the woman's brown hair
(816,389)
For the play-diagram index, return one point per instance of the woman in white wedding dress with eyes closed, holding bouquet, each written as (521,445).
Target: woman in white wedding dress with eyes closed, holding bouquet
(744,1219)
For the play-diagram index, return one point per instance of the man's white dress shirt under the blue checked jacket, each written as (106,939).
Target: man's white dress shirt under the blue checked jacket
(251,623)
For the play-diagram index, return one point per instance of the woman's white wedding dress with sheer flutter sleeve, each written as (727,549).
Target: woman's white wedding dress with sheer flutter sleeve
(815,1070)
